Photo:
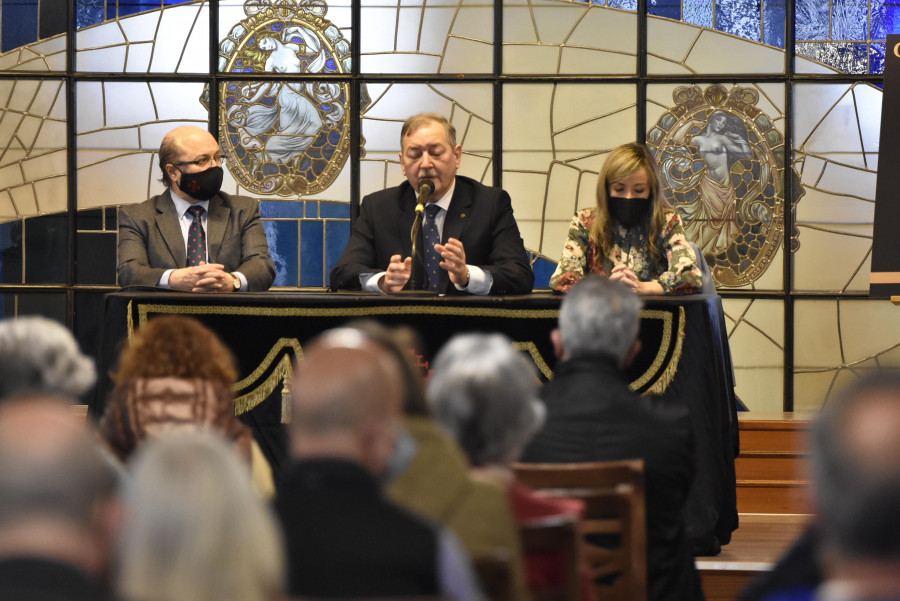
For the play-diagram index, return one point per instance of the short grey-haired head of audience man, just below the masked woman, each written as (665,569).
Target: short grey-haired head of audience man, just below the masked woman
(599,317)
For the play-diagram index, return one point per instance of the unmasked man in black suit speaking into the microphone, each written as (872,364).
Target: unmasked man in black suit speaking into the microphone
(480,249)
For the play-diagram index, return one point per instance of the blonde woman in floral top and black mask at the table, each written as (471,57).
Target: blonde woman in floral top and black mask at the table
(633,235)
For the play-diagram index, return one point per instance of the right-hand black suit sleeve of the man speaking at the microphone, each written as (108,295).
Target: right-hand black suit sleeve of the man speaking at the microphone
(508,261)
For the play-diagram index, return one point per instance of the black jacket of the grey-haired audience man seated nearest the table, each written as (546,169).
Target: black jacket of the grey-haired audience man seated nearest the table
(592,415)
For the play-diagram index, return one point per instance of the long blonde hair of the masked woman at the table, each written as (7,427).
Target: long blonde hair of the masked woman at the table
(622,162)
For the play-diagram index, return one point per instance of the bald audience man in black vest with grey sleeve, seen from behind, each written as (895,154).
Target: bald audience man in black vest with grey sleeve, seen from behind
(344,539)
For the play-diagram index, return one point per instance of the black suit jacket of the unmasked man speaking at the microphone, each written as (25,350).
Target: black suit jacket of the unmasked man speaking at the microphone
(479,216)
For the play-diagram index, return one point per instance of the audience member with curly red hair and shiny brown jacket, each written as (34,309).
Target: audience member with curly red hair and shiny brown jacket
(177,375)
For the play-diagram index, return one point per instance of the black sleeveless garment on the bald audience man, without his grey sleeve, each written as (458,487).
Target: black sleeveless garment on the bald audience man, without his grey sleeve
(344,539)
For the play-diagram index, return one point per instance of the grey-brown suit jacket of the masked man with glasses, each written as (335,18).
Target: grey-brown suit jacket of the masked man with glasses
(150,240)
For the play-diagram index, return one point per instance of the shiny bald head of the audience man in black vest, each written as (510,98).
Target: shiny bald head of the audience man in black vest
(347,400)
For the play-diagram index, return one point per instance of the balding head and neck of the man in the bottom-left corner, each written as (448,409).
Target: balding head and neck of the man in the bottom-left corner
(54,483)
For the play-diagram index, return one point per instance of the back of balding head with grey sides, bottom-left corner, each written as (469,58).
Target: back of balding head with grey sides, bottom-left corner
(51,469)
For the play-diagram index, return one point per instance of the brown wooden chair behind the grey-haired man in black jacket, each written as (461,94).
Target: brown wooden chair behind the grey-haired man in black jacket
(614,531)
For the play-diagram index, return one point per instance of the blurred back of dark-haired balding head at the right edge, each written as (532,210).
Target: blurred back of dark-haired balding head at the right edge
(856,465)
